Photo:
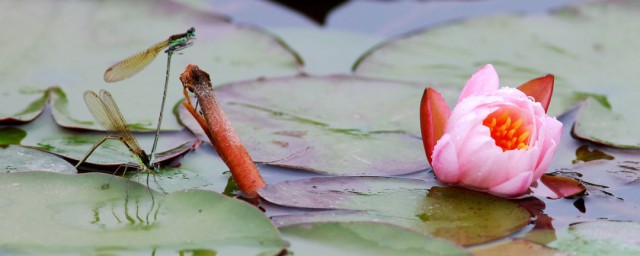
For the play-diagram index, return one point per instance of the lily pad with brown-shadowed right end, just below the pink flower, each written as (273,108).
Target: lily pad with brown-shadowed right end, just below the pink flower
(460,215)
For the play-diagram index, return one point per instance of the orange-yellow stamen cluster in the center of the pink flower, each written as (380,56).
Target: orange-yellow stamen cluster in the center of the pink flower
(507,129)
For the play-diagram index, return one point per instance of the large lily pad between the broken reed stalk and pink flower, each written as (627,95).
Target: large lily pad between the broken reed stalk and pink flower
(341,125)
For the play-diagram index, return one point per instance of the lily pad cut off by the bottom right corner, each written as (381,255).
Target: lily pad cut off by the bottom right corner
(602,237)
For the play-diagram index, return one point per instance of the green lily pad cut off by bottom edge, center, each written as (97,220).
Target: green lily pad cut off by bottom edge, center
(364,238)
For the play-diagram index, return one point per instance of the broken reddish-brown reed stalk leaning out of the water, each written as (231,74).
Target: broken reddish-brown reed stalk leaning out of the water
(222,135)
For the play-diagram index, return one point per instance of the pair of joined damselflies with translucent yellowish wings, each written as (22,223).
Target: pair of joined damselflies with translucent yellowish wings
(105,110)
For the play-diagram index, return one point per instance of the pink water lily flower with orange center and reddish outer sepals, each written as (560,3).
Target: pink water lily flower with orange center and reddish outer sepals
(498,140)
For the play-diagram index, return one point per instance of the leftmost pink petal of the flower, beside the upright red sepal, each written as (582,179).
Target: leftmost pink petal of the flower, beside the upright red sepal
(445,161)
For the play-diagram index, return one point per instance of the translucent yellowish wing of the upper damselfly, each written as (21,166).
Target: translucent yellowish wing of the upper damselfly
(133,64)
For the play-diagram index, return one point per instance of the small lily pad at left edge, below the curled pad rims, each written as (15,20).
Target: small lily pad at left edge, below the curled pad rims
(20,159)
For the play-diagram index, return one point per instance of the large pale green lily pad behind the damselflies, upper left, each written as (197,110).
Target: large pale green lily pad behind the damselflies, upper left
(72,43)
